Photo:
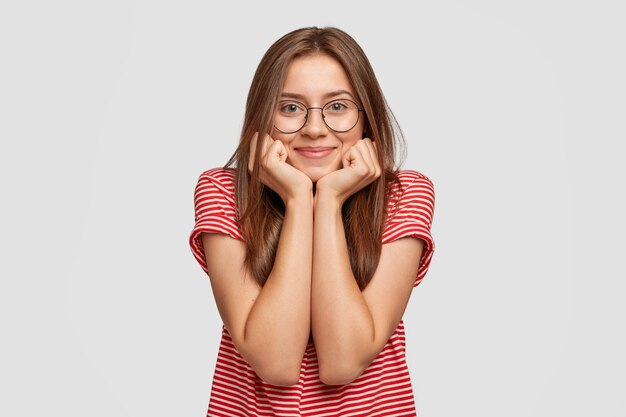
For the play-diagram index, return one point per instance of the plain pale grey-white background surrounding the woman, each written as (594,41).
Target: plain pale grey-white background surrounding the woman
(109,111)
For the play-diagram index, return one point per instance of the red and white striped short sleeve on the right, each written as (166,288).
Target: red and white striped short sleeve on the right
(410,214)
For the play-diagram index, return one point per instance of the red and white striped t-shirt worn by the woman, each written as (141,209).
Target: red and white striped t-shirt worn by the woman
(384,388)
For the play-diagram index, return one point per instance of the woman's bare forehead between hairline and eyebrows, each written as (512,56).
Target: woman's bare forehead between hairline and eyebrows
(313,76)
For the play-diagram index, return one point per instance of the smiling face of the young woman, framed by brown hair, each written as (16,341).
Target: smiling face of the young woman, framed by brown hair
(317,81)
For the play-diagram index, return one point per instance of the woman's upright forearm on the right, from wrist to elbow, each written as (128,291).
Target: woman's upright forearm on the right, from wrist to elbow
(342,325)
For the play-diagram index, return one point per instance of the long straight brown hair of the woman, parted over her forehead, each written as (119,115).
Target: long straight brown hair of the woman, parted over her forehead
(260,209)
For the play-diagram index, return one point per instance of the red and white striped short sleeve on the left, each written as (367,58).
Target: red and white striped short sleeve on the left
(214,201)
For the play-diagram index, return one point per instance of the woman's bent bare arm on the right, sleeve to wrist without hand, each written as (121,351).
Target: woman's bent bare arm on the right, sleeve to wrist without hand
(350,327)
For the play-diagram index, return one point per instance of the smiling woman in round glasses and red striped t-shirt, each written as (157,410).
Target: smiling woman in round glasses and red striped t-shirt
(314,241)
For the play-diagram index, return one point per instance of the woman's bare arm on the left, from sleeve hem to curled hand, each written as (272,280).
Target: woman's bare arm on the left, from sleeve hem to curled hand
(270,326)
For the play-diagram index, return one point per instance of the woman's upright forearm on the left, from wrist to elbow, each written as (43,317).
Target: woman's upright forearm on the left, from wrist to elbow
(278,325)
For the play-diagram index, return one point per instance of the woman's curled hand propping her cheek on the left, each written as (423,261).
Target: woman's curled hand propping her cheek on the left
(287,181)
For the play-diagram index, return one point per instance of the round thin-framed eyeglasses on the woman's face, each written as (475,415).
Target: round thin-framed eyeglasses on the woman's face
(339,115)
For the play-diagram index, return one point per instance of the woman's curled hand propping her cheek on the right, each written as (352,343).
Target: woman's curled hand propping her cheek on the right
(360,168)
